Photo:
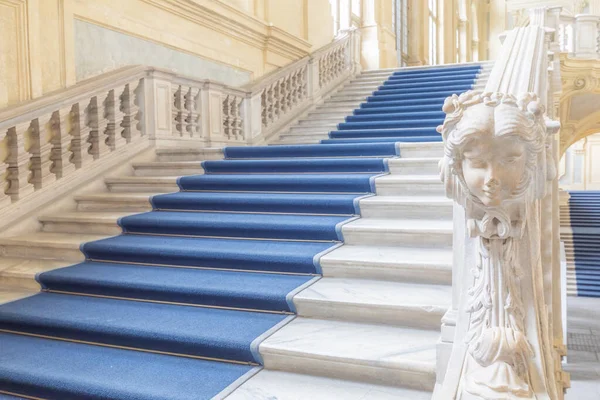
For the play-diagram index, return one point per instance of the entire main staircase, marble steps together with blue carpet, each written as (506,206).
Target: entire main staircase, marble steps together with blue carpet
(328,264)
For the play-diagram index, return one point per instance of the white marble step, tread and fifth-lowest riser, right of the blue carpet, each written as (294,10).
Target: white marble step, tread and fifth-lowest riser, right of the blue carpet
(408,207)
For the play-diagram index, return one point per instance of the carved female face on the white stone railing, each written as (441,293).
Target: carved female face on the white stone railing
(493,157)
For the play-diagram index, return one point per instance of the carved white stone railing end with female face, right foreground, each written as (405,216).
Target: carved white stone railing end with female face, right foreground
(504,328)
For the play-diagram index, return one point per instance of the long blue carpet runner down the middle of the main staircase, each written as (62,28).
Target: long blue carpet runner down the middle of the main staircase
(176,306)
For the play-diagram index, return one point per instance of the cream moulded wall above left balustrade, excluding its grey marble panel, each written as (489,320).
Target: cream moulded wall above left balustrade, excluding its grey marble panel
(251,36)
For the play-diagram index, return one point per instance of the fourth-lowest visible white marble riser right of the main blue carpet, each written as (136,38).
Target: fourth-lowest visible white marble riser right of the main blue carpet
(400,238)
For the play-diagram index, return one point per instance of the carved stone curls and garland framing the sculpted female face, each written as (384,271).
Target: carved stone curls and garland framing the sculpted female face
(521,117)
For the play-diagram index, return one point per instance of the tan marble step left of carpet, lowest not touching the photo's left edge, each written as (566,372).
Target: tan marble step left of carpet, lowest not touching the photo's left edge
(101,223)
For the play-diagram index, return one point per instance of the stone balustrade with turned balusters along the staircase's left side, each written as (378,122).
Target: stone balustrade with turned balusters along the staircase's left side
(49,138)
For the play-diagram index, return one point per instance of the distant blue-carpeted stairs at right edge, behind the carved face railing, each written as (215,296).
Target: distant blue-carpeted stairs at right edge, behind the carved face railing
(580,232)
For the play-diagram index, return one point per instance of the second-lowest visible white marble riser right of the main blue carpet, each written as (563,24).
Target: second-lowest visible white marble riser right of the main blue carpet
(366,313)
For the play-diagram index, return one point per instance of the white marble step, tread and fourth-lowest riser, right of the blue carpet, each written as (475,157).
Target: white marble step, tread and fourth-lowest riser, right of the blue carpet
(401,232)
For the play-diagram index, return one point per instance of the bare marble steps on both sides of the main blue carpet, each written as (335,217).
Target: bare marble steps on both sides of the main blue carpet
(367,329)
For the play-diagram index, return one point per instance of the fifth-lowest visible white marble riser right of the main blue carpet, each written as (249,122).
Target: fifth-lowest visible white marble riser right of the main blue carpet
(407,211)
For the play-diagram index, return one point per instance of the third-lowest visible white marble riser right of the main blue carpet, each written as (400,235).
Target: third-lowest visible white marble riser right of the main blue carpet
(398,273)
